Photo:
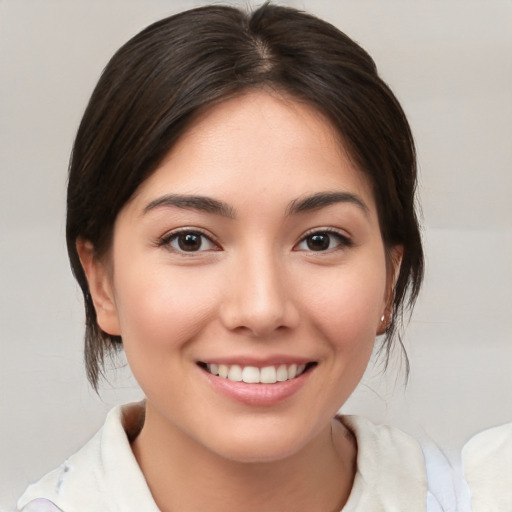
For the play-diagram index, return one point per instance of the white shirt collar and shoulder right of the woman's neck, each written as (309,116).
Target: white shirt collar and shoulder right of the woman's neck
(391,472)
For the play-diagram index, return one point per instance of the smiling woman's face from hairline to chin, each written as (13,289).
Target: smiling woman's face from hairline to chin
(253,251)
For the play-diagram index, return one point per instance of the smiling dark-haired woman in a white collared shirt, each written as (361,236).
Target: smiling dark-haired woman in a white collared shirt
(241,222)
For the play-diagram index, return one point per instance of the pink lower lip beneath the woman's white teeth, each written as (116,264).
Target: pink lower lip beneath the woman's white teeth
(258,394)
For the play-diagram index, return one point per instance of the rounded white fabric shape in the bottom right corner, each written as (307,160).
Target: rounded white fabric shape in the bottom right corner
(487,463)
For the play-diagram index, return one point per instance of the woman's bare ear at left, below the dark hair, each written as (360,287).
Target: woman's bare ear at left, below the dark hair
(100,285)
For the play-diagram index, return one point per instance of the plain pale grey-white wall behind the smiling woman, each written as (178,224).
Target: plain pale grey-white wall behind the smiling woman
(450,64)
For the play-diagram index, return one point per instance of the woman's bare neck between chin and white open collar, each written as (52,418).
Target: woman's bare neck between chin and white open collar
(184,475)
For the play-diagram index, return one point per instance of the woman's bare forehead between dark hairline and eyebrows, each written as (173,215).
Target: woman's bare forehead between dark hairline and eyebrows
(259,142)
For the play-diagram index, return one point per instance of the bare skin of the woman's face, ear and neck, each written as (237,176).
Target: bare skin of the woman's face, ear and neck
(255,291)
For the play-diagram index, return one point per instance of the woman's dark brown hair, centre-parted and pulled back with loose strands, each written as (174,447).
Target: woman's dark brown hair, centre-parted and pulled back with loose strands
(164,76)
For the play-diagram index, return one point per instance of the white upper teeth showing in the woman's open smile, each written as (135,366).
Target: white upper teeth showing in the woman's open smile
(255,375)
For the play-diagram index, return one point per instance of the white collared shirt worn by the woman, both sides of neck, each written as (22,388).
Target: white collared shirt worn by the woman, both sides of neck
(104,475)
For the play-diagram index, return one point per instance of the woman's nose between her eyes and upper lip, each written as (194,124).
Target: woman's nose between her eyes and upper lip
(259,299)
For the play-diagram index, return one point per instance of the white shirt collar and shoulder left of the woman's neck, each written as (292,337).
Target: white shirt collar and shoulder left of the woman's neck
(103,475)
